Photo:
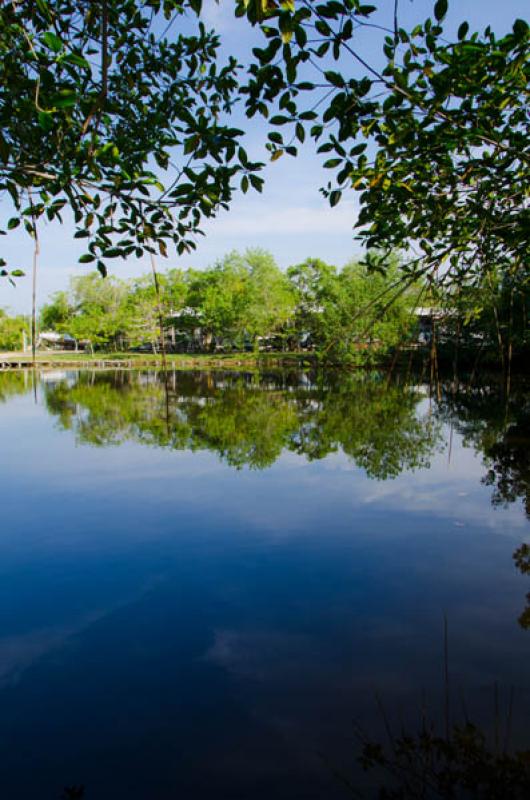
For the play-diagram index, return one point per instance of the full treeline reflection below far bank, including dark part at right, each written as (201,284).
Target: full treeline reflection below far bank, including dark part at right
(249,420)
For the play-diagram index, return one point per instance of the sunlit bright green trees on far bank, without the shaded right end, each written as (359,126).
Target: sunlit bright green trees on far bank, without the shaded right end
(244,301)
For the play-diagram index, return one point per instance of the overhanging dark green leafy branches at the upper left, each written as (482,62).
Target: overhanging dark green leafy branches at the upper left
(115,111)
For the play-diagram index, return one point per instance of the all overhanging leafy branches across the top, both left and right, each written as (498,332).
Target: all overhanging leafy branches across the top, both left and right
(434,134)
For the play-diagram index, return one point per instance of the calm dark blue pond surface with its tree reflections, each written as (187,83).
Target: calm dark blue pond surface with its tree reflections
(203,595)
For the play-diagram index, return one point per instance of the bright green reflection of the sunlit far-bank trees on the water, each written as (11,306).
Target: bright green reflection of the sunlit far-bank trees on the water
(249,420)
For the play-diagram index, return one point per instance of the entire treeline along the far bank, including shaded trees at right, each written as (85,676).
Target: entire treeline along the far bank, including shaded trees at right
(244,301)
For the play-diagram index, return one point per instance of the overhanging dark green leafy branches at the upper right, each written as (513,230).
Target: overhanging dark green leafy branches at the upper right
(435,136)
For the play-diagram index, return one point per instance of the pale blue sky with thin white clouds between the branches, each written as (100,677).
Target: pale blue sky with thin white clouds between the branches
(290,218)
